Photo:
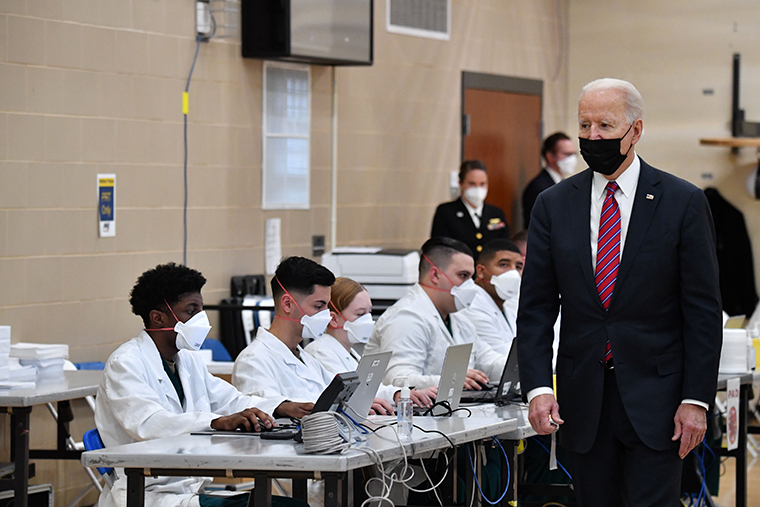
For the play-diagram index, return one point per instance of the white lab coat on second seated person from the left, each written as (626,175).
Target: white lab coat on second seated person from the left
(267,368)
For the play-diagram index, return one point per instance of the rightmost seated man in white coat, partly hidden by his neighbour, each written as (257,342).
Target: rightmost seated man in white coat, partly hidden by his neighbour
(498,271)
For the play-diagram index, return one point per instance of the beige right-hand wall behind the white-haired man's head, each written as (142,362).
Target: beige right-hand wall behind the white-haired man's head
(672,51)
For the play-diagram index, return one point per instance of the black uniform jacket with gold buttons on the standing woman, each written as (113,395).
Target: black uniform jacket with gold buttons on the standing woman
(452,220)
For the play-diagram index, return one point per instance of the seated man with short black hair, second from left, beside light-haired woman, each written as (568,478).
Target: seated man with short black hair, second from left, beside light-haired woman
(274,365)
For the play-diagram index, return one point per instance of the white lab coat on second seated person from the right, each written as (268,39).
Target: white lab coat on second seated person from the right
(414,330)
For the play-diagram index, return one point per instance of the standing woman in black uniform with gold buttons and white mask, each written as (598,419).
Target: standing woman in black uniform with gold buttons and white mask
(470,219)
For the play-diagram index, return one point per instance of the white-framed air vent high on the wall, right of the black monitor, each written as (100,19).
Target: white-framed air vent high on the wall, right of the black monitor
(422,18)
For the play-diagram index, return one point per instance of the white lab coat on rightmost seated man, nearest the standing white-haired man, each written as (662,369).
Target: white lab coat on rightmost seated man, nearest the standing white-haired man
(492,326)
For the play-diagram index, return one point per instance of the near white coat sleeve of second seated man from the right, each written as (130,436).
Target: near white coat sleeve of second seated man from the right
(408,339)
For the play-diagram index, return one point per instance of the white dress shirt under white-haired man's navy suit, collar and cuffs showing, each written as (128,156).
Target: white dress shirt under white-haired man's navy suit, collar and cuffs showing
(625,194)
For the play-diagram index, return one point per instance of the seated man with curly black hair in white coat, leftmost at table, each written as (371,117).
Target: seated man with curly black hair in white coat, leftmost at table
(153,386)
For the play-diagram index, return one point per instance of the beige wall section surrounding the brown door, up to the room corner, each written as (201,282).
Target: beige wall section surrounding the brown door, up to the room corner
(399,131)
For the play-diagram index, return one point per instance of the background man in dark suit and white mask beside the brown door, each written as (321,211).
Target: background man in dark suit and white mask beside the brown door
(559,153)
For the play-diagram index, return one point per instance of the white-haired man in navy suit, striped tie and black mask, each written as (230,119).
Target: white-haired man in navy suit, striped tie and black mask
(628,251)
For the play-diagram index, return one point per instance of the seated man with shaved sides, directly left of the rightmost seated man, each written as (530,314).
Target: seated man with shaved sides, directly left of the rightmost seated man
(420,326)
